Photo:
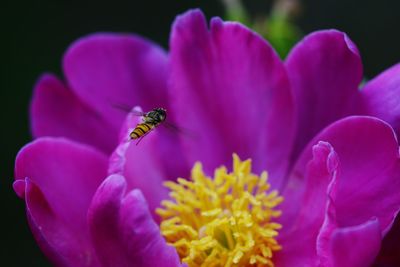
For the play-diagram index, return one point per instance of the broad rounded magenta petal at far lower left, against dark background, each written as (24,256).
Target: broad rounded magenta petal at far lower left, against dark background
(62,178)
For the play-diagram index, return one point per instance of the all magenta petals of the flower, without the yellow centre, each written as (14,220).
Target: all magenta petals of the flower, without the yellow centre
(330,148)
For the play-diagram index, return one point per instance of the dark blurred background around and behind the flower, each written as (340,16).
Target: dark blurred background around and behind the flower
(36,33)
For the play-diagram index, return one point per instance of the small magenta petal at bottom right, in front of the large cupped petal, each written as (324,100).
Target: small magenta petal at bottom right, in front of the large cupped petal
(355,246)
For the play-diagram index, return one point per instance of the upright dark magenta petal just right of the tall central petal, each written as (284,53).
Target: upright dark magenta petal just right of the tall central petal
(325,70)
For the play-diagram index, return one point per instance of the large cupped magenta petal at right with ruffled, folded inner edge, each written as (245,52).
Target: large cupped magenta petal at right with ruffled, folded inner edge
(364,185)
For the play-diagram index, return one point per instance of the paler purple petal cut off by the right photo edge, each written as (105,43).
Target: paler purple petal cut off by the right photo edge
(381,97)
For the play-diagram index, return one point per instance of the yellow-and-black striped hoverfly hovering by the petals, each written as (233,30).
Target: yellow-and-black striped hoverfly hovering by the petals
(150,121)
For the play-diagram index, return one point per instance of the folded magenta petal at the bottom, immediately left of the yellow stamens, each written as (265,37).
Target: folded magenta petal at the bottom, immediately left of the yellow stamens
(123,230)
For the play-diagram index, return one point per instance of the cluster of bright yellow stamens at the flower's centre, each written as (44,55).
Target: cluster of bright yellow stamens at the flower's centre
(222,221)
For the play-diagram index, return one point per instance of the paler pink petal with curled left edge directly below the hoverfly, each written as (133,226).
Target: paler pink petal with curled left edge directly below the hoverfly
(145,166)
